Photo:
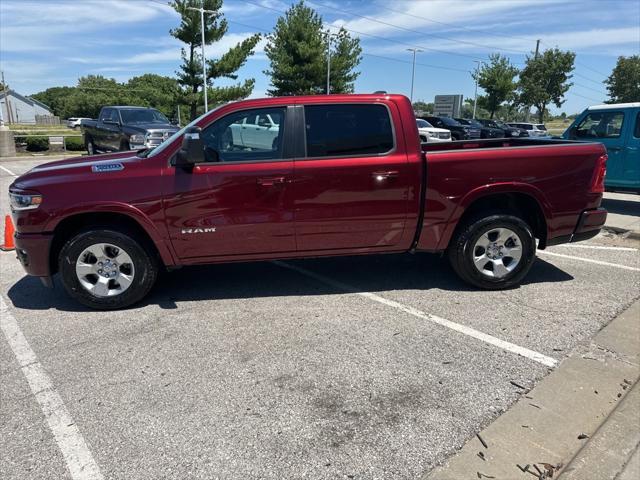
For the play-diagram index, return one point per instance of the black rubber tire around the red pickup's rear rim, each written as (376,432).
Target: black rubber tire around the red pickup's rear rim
(461,254)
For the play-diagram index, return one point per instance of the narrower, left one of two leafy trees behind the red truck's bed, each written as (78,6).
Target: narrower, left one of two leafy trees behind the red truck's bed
(497,80)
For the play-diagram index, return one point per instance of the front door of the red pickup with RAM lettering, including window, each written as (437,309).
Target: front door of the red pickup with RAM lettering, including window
(237,203)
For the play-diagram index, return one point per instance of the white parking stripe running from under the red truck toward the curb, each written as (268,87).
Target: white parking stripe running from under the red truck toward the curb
(478,335)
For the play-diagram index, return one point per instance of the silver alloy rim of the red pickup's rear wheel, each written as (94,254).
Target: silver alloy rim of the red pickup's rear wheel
(497,252)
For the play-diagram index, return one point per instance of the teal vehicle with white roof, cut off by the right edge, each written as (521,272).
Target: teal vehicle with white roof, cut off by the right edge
(617,126)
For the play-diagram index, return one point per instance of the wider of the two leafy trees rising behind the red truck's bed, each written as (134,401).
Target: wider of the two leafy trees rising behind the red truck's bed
(545,79)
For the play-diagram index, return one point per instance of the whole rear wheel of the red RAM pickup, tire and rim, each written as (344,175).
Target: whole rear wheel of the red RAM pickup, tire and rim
(493,251)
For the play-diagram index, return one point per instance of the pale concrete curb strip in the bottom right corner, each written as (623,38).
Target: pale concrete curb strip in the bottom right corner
(548,426)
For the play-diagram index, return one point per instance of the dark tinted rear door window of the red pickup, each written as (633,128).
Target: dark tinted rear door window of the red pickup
(347,130)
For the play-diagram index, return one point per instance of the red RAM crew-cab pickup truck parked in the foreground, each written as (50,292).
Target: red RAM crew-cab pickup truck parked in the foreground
(298,177)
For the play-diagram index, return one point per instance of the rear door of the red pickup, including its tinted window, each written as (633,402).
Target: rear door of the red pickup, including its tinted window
(351,186)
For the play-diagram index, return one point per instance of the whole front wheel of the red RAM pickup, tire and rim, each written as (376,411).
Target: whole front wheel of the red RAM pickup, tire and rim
(106,269)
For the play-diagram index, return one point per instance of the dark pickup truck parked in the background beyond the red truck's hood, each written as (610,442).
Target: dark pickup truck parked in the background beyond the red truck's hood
(126,128)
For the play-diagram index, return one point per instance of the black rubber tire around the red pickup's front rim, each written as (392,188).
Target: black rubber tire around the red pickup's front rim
(144,276)
